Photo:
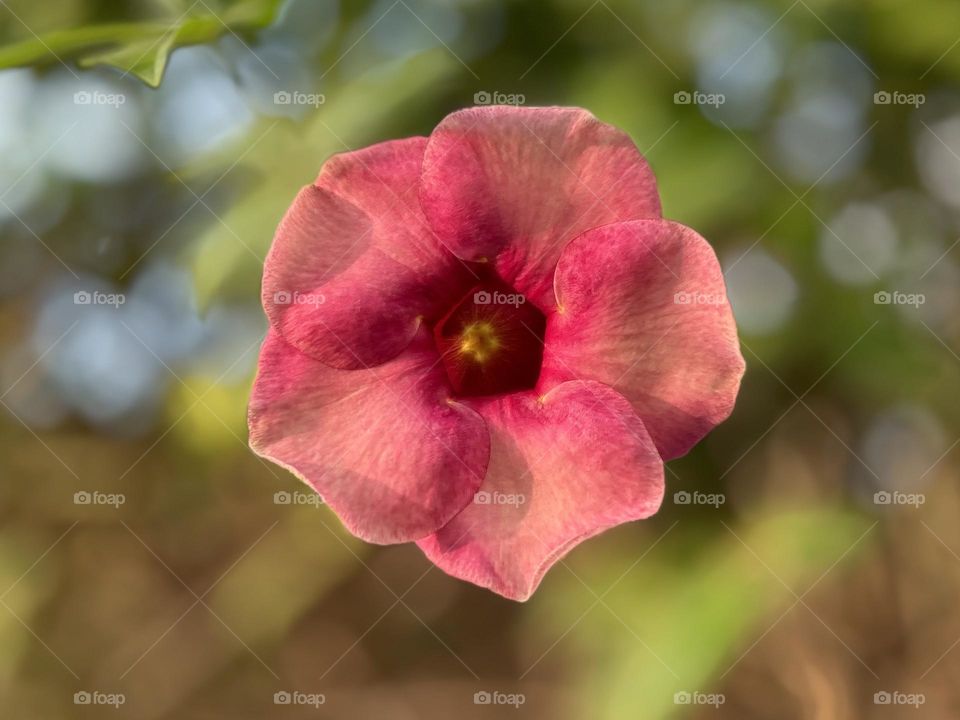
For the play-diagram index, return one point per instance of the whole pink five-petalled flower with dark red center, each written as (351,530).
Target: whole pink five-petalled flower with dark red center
(488,341)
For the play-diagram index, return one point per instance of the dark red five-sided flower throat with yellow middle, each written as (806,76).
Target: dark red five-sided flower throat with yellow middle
(491,342)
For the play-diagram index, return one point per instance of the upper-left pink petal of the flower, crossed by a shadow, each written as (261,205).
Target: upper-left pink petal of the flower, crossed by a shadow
(354,264)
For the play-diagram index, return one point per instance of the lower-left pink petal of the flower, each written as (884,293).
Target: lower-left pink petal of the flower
(385,447)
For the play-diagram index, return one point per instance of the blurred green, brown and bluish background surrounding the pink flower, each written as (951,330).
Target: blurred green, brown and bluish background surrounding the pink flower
(806,562)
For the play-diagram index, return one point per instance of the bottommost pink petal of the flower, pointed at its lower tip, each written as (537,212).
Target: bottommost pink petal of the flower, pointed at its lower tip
(580,460)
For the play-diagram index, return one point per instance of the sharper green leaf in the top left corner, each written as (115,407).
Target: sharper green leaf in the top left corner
(141,49)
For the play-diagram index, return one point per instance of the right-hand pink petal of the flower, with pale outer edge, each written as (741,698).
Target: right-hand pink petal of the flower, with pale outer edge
(644,309)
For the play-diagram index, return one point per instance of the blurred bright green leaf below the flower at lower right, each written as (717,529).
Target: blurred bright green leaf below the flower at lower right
(689,622)
